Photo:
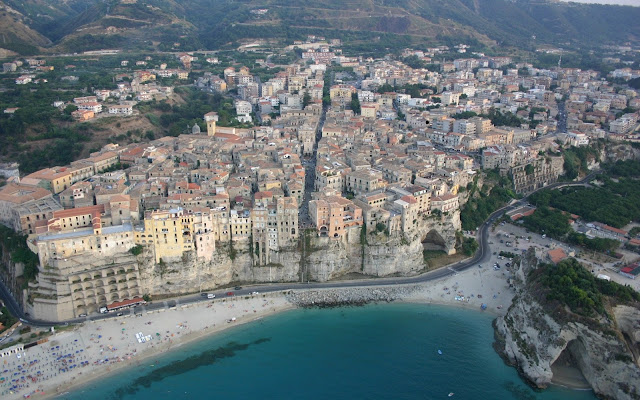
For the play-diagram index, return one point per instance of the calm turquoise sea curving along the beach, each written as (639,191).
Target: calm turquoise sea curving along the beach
(385,351)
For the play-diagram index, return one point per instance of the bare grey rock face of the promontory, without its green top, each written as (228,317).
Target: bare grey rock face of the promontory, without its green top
(531,339)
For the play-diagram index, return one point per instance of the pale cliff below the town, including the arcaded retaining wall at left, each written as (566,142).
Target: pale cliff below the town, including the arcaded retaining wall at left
(79,284)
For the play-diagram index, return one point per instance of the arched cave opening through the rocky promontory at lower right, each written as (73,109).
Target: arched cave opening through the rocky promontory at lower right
(567,368)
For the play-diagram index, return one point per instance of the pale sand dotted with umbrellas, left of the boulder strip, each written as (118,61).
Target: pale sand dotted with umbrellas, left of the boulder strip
(100,348)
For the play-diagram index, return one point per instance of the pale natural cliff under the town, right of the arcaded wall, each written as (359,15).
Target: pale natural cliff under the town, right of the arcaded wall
(314,259)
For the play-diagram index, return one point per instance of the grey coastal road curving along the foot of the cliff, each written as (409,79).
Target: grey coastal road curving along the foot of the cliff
(482,255)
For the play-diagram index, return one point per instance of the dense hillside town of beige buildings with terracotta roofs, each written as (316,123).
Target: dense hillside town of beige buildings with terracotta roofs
(337,146)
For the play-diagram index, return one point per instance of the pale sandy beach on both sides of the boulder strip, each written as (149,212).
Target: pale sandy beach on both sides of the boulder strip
(94,349)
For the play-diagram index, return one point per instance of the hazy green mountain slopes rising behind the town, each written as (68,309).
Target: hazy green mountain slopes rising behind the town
(75,25)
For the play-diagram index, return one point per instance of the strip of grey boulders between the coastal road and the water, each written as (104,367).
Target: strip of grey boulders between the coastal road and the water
(347,296)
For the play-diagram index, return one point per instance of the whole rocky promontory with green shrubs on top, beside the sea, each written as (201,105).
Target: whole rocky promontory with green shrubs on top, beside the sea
(562,314)
